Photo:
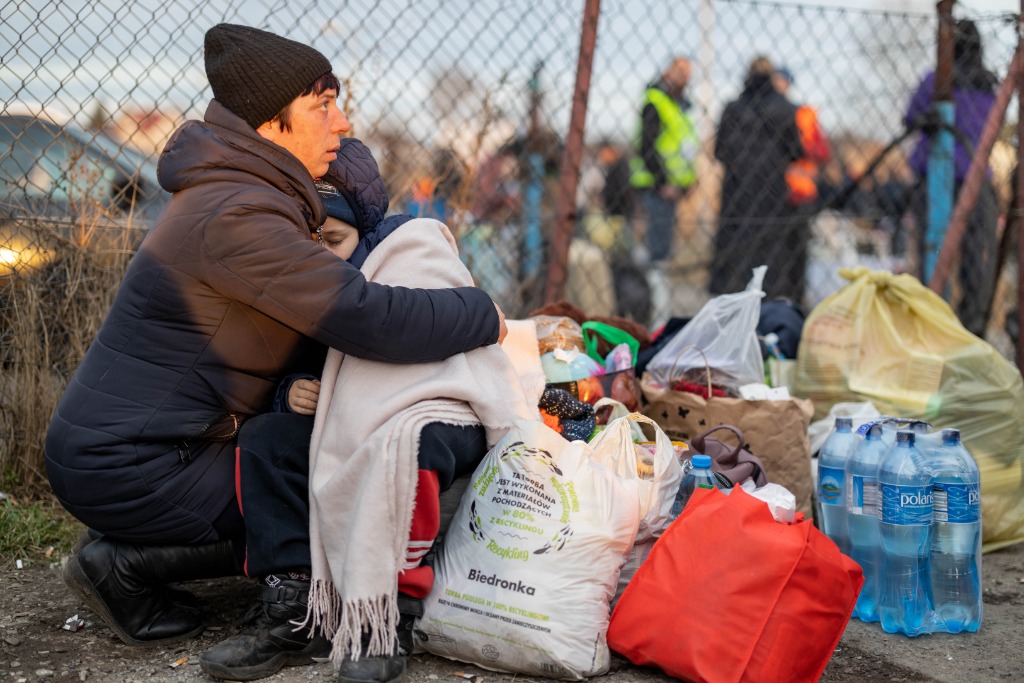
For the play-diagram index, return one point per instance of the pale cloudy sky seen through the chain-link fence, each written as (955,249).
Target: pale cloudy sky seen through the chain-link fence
(858,68)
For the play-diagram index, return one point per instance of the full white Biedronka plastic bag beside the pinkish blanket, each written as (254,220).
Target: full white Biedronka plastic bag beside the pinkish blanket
(525,579)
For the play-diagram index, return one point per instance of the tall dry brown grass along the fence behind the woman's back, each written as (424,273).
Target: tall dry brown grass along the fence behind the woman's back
(51,310)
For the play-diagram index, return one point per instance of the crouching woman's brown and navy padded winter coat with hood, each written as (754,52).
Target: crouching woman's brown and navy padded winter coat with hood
(222,301)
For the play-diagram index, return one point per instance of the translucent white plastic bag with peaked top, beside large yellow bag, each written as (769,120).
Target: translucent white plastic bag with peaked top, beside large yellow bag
(726,329)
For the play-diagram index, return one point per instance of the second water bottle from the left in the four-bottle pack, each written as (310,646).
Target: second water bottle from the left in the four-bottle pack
(863,509)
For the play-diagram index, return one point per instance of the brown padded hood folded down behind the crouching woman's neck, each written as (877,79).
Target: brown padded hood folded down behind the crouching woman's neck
(224,148)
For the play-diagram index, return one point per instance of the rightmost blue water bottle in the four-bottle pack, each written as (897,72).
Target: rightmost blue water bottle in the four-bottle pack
(956,562)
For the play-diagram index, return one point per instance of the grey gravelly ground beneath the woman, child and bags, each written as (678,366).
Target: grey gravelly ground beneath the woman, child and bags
(35,648)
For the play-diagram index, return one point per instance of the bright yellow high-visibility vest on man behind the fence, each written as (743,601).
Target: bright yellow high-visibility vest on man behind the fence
(677,144)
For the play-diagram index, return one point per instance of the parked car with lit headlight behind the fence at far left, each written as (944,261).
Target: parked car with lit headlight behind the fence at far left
(69,180)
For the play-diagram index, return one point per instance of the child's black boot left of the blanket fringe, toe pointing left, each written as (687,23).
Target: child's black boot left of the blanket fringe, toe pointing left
(272,642)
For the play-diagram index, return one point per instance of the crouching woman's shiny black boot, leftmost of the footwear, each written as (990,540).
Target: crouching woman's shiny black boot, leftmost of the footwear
(124,584)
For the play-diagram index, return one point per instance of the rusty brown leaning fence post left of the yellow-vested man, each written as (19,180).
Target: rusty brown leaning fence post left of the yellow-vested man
(573,156)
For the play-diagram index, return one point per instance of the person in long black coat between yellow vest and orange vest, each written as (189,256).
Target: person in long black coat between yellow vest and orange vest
(758,139)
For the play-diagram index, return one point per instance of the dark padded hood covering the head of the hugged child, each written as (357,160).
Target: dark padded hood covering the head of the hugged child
(356,175)
